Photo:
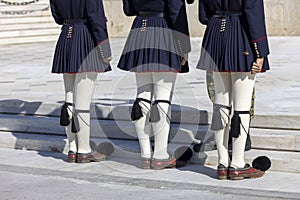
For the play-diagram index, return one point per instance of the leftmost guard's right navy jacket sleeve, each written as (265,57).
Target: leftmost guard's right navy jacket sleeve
(97,20)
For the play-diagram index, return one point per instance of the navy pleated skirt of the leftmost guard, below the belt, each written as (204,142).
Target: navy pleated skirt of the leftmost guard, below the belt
(77,52)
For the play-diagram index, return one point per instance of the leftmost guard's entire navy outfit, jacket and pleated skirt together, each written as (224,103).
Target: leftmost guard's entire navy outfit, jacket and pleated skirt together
(83,42)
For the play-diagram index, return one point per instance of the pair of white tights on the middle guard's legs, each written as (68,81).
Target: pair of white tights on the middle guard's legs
(160,85)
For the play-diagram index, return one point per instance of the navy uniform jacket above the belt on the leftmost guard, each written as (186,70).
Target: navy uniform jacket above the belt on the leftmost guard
(90,10)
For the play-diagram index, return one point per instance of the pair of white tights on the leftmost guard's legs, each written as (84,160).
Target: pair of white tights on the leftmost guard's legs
(82,89)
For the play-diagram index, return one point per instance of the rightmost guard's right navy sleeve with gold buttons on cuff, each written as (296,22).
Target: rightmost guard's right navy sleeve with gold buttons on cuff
(254,11)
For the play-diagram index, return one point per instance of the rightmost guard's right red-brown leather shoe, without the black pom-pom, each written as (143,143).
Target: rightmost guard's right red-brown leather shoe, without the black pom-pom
(246,172)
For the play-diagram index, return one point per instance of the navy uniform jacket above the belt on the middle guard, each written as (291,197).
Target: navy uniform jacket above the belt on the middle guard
(174,13)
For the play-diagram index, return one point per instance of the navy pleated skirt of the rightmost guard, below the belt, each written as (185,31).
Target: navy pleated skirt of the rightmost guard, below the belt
(227,48)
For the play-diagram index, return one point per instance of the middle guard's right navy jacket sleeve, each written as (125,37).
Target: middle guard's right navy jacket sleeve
(179,23)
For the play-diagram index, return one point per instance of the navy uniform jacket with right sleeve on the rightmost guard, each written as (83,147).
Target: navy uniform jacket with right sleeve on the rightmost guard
(253,13)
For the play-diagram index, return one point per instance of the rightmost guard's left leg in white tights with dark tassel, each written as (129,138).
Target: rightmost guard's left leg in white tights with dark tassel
(221,114)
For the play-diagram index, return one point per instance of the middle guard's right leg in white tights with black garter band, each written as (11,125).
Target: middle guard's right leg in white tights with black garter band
(163,90)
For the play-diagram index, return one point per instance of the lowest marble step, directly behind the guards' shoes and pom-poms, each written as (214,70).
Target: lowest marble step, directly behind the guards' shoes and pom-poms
(281,161)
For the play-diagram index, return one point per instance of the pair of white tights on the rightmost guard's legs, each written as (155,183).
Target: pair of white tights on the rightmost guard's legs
(239,88)
